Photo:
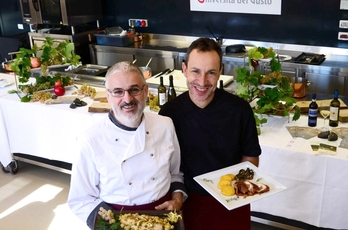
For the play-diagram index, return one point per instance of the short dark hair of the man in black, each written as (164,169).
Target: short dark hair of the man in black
(204,45)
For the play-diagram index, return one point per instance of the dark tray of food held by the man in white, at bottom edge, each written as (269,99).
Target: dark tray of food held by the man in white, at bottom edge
(127,219)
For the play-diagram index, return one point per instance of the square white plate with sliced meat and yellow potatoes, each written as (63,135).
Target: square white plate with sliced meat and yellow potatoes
(239,185)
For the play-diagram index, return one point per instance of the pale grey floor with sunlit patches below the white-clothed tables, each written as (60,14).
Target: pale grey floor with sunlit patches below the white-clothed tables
(35,199)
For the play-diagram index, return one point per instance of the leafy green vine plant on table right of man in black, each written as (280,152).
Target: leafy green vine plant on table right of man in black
(272,91)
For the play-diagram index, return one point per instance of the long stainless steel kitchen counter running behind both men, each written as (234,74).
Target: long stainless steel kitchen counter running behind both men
(170,51)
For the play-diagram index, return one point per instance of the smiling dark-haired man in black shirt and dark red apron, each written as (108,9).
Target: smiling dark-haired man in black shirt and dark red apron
(215,130)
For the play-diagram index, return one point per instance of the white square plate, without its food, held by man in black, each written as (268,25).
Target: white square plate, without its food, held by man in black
(209,182)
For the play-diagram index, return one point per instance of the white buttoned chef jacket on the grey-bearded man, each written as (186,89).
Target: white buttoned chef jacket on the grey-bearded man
(124,167)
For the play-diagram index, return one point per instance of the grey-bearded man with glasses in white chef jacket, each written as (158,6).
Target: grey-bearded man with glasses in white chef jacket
(131,159)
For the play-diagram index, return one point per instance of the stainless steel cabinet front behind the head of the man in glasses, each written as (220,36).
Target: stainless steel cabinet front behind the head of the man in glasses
(109,55)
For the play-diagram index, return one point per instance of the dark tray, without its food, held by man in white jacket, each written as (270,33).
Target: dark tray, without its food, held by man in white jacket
(177,226)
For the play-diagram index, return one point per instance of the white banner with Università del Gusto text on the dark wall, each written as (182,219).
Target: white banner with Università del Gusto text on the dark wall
(238,6)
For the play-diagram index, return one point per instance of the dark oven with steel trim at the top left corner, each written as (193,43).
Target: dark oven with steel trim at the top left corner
(60,12)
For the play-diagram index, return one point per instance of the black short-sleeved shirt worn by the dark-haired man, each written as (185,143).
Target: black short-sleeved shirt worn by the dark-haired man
(214,137)
